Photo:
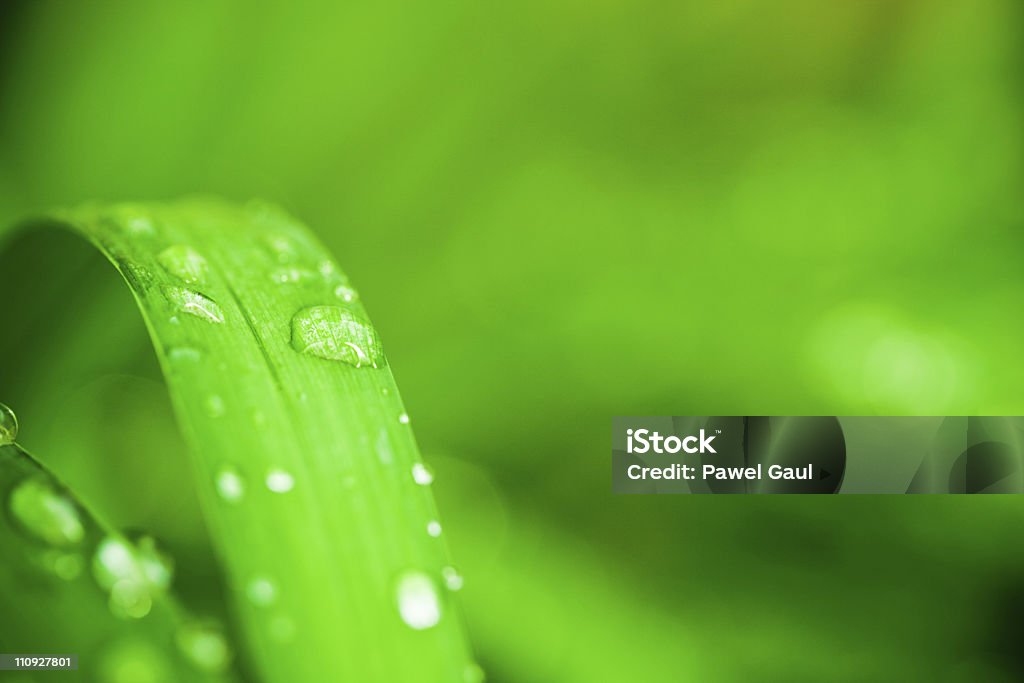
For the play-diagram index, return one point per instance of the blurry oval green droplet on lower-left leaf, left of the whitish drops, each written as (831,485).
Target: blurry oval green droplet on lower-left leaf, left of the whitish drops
(47,514)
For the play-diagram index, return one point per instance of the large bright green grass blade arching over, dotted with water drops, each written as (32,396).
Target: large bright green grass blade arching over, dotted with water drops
(310,479)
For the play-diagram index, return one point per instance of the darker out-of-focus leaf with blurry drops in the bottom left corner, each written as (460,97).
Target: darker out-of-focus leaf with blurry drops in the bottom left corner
(69,584)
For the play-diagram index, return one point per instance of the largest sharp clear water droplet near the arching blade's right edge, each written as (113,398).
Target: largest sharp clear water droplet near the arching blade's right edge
(336,334)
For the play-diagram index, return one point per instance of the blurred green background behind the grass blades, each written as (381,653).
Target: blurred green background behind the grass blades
(562,211)
